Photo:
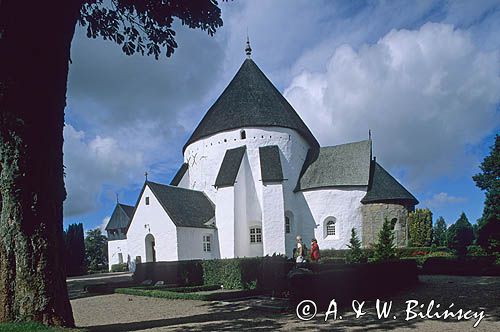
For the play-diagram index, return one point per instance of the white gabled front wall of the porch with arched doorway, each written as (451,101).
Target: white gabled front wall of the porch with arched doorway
(152,219)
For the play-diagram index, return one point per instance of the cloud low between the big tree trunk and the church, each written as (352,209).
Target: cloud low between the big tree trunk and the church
(92,164)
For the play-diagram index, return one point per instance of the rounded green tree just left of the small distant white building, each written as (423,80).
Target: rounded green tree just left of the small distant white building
(96,250)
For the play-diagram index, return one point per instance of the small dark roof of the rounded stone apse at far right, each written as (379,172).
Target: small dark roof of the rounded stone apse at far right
(383,187)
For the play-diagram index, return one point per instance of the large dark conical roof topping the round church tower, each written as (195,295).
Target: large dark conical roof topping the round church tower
(250,100)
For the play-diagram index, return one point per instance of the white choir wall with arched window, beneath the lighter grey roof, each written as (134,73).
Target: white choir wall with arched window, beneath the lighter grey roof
(341,205)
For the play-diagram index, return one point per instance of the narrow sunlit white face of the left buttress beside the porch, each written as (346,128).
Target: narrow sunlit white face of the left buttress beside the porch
(224,220)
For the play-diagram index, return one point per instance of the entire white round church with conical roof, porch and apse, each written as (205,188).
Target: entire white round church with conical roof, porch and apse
(253,178)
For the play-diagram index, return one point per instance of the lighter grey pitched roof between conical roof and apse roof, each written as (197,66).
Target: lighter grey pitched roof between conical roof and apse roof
(340,165)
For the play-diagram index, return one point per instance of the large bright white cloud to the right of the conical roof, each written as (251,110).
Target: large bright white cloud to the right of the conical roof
(426,95)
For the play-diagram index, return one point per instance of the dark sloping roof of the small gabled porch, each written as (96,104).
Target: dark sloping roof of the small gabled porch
(186,207)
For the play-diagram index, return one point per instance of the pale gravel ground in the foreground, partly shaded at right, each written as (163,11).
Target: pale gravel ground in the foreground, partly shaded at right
(118,312)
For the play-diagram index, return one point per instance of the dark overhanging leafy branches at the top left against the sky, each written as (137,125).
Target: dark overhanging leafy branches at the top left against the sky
(146,26)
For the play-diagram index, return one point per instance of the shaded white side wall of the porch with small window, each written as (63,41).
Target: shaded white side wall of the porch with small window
(190,241)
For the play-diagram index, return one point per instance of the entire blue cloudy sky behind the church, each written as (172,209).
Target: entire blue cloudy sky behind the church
(424,76)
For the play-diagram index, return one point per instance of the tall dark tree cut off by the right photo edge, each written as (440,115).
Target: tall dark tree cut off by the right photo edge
(488,226)
